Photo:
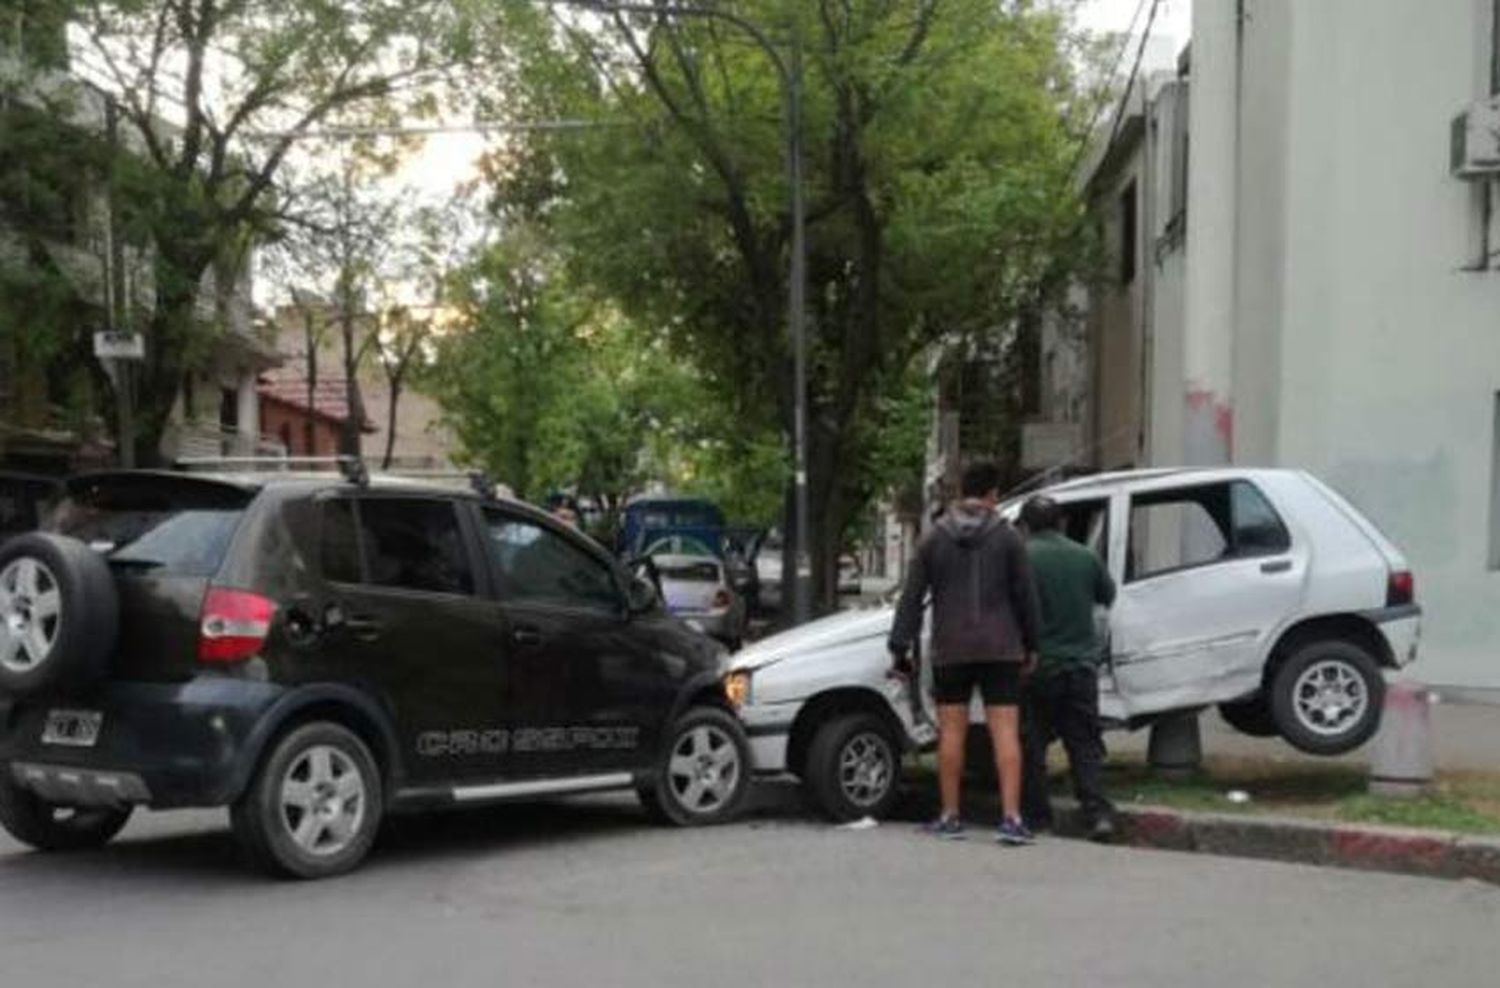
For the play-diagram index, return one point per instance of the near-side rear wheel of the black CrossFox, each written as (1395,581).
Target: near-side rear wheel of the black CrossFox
(335,773)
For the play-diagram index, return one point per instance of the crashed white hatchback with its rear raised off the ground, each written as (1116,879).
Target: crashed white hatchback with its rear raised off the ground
(1262,591)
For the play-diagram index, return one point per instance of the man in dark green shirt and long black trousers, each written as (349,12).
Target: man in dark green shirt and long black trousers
(1063,698)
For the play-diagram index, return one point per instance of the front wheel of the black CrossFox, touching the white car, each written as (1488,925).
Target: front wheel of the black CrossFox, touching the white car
(706,740)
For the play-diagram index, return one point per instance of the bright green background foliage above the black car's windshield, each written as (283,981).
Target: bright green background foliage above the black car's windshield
(548,388)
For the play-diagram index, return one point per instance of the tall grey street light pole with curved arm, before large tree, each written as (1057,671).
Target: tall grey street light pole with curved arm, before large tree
(797,280)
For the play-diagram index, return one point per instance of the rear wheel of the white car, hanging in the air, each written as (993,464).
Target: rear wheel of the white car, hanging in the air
(1294,693)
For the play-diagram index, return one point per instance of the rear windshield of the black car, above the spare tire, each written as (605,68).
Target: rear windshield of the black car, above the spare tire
(172,527)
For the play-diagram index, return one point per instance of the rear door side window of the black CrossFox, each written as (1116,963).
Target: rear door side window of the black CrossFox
(415,545)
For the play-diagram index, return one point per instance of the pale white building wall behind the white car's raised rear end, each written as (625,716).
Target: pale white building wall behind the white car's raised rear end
(1363,349)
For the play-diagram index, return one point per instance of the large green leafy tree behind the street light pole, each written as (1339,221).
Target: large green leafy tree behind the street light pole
(940,149)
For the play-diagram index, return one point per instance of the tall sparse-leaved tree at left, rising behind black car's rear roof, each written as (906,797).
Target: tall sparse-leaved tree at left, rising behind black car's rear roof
(217,94)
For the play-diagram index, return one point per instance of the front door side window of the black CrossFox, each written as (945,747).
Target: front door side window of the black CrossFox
(538,564)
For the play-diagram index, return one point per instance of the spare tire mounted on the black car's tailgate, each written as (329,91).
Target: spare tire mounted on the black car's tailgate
(59,615)
